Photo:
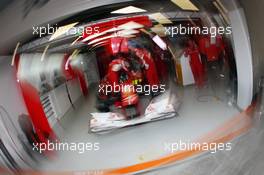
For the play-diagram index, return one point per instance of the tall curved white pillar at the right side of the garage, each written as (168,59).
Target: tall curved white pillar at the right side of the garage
(242,48)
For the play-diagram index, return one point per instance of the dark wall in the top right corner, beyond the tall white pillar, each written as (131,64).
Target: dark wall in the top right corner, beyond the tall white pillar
(254,15)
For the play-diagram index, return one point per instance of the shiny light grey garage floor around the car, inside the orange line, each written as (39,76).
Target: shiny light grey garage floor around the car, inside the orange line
(201,112)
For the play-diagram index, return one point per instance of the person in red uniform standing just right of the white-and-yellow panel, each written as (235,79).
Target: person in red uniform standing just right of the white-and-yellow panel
(197,67)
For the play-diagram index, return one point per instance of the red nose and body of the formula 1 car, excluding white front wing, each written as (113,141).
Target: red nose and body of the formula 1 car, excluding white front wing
(119,89)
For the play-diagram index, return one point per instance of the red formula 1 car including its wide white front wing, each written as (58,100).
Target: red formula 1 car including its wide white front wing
(122,79)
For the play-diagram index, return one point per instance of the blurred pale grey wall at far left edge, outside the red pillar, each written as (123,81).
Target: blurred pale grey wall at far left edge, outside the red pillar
(12,105)
